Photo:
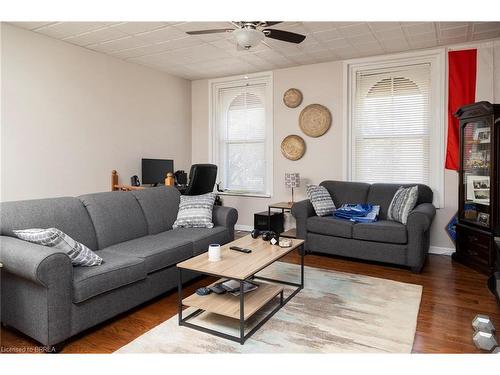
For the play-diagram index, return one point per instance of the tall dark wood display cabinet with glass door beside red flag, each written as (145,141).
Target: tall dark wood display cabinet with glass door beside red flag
(479,194)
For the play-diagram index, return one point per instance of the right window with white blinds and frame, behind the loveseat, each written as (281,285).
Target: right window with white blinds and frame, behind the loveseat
(396,116)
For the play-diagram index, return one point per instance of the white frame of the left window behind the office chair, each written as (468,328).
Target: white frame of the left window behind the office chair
(214,145)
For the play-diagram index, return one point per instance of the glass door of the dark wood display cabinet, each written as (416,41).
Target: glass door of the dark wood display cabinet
(476,164)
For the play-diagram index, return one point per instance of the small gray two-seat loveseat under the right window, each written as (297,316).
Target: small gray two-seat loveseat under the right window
(383,241)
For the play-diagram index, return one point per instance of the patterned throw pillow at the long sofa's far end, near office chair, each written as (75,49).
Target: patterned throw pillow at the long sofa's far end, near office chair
(195,211)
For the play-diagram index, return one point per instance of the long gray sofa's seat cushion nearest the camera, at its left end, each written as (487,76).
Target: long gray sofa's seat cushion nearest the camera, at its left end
(116,271)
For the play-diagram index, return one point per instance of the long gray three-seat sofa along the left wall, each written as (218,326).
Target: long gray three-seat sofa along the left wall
(45,297)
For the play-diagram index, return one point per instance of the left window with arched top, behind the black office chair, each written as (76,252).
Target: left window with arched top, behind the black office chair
(242,134)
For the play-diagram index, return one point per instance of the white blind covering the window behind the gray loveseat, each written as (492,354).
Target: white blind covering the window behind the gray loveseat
(391,135)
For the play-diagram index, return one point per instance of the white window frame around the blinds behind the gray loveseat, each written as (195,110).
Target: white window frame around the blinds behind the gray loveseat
(436,59)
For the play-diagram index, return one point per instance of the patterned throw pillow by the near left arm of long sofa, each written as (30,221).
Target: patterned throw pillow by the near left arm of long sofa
(79,254)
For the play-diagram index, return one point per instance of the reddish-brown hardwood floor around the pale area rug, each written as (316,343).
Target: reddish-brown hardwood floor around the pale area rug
(452,295)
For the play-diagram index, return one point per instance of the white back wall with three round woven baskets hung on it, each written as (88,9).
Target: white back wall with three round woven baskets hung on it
(324,158)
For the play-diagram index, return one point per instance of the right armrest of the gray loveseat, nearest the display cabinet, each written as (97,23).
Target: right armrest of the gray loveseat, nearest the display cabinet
(418,227)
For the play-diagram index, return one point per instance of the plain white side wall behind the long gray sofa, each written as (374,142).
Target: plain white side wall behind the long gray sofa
(70,116)
